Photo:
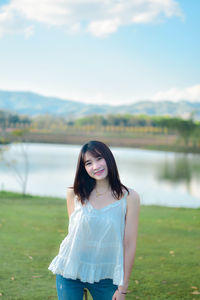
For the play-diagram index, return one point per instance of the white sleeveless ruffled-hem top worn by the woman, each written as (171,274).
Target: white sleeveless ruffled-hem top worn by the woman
(93,248)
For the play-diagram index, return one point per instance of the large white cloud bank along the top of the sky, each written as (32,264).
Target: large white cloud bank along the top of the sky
(99,17)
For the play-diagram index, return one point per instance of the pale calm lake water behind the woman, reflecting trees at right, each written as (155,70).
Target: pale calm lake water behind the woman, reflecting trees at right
(161,178)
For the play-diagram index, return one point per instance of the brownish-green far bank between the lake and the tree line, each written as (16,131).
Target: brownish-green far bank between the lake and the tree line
(167,143)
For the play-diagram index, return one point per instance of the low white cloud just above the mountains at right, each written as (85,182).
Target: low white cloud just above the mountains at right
(191,93)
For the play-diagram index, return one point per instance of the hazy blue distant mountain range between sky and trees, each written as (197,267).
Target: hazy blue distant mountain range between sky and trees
(34,104)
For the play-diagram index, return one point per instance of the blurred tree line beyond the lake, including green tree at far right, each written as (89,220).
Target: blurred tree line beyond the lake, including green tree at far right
(186,128)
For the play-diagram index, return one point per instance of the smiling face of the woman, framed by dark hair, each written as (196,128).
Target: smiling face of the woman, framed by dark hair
(96,167)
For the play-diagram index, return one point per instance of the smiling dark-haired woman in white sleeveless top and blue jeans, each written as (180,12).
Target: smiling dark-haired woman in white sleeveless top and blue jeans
(99,250)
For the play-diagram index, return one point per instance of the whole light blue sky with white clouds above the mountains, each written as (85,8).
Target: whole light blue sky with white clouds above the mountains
(102,51)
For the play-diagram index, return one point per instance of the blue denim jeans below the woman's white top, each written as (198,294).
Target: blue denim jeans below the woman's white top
(72,289)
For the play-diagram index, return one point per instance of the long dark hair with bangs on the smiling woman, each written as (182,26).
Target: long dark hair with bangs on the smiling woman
(84,184)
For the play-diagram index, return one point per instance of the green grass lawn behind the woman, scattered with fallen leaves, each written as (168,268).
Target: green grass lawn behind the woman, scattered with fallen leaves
(167,263)
